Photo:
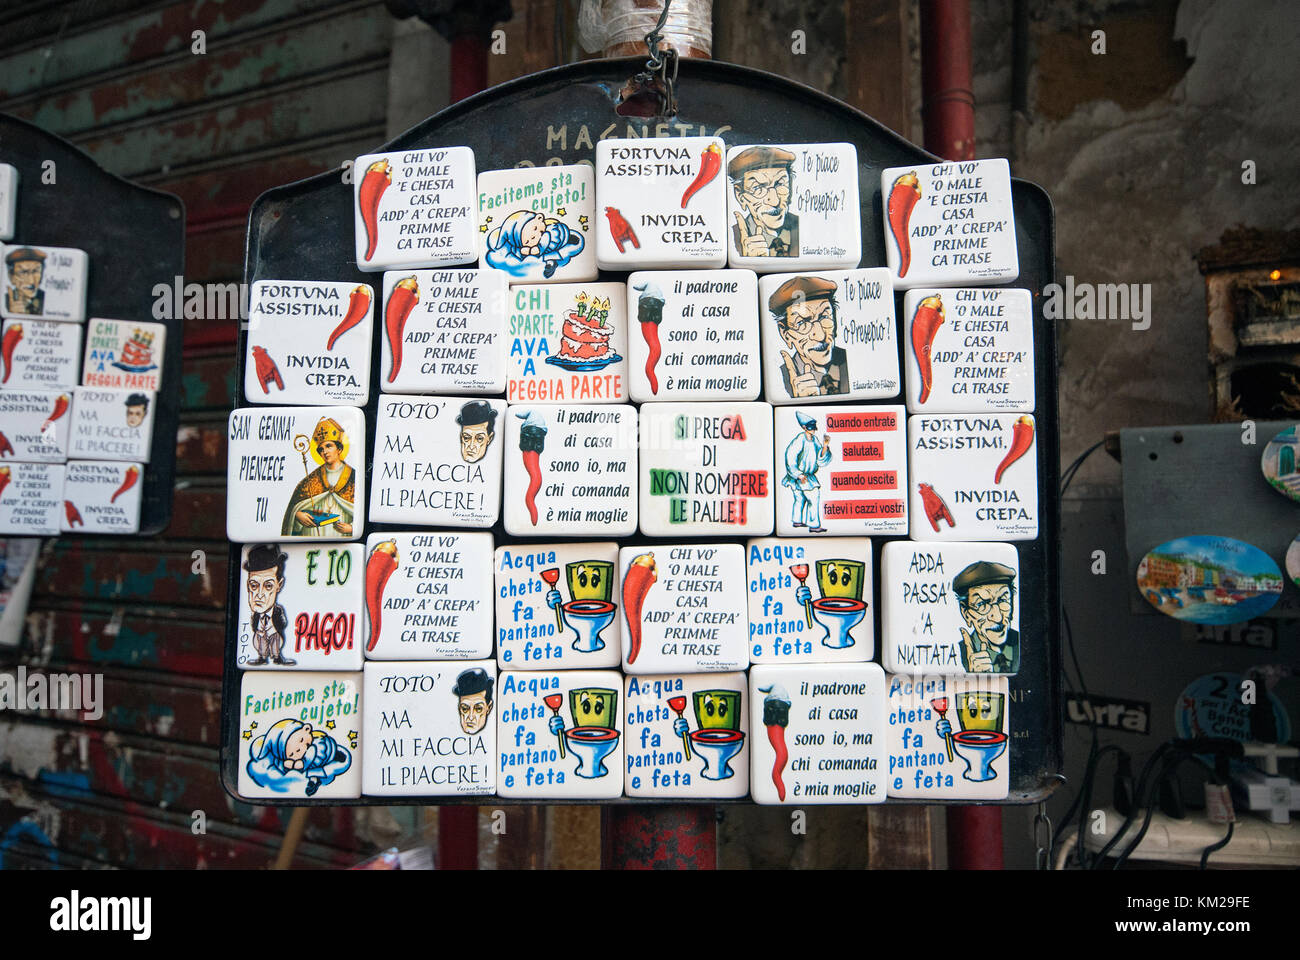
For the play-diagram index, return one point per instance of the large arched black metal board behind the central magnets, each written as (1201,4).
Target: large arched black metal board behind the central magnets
(305,232)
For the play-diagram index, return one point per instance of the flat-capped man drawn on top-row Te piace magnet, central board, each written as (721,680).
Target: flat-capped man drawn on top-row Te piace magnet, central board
(762,179)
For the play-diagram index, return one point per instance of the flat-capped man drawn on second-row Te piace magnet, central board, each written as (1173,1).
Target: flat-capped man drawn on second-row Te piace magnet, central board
(805,313)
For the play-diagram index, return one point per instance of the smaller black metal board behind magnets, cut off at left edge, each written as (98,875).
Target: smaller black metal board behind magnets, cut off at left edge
(135,239)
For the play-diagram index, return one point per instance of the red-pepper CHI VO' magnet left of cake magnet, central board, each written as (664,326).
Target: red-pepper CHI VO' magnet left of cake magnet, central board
(444,332)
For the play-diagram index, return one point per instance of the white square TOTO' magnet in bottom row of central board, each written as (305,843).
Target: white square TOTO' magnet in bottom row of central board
(430,729)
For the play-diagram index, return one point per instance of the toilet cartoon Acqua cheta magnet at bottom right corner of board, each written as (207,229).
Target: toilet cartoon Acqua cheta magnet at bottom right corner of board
(950,738)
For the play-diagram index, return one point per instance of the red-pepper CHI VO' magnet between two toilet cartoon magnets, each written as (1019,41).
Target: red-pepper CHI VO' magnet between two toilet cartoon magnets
(683,612)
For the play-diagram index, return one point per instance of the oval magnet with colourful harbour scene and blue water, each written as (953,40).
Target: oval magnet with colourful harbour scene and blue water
(1207,580)
